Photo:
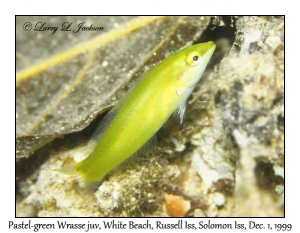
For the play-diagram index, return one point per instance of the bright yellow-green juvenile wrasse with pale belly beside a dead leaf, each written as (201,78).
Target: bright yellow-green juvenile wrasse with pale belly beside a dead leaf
(140,114)
